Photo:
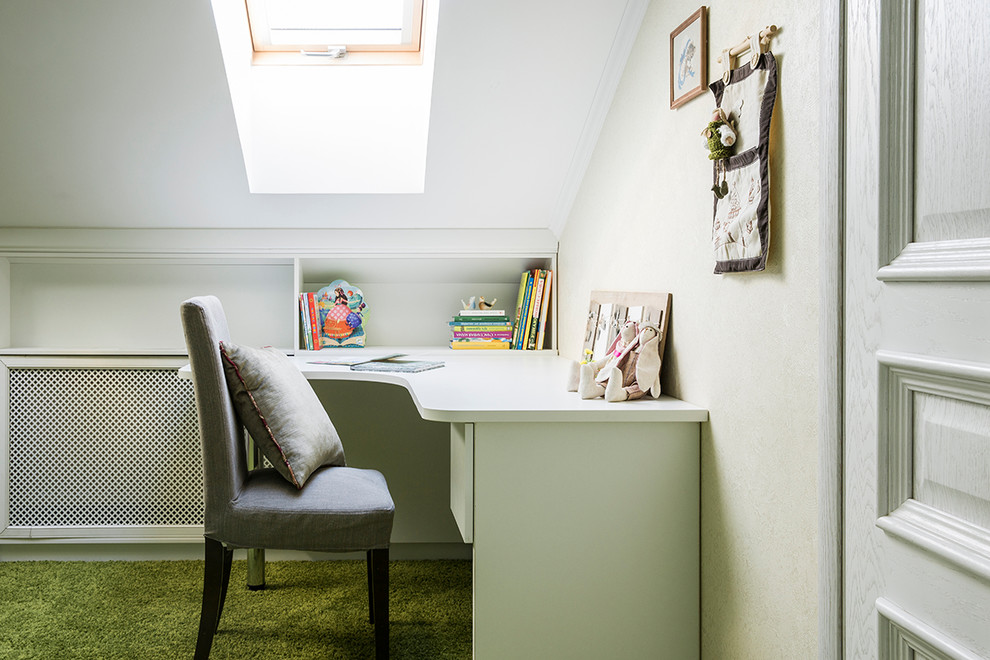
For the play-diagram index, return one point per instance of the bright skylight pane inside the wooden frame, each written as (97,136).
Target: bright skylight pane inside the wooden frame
(313,26)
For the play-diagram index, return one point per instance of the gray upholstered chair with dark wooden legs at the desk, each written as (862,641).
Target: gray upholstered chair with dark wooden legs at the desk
(338,509)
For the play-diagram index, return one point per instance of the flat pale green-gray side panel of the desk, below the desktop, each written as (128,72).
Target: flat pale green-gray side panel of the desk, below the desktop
(586,540)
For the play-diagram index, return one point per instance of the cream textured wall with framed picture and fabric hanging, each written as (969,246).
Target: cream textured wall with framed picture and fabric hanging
(744,345)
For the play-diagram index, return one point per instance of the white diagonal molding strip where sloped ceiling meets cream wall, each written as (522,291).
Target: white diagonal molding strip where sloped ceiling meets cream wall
(615,65)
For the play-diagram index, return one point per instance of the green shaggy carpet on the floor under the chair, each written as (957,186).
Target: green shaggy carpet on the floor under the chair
(150,610)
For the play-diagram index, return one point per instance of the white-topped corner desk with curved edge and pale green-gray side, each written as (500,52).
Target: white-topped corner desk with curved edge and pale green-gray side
(583,515)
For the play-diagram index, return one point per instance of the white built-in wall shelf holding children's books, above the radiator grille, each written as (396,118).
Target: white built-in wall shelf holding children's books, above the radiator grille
(118,291)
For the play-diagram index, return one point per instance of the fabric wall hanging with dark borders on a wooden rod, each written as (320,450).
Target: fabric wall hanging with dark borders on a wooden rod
(741,190)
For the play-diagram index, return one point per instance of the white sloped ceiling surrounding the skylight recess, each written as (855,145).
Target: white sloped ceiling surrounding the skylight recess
(117,114)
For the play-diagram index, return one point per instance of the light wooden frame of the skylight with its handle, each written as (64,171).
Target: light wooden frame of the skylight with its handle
(357,53)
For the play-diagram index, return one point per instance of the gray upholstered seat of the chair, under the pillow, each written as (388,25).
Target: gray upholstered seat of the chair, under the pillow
(340,509)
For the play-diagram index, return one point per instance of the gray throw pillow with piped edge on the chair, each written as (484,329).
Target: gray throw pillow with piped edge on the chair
(281,411)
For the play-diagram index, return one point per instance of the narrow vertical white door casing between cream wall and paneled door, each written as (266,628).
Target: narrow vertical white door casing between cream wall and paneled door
(831,307)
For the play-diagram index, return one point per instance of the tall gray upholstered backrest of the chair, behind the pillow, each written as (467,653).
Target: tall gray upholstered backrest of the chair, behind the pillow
(222,435)
